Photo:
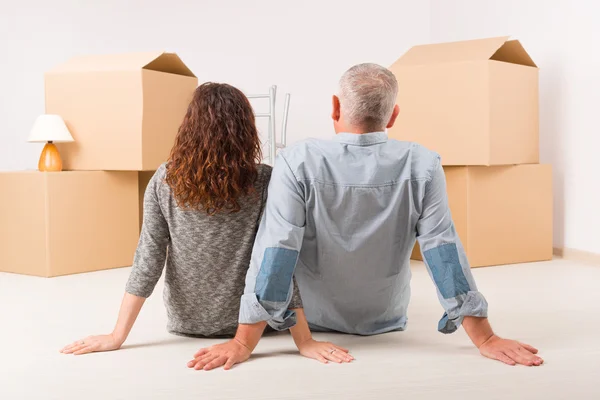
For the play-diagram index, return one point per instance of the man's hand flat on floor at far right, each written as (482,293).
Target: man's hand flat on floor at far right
(510,352)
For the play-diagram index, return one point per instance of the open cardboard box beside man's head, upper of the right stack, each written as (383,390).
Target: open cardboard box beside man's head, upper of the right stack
(473,102)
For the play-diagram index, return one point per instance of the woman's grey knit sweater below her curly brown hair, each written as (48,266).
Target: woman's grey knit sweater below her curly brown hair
(207,258)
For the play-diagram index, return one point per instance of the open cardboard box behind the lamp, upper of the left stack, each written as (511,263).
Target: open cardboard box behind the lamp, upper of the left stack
(122,110)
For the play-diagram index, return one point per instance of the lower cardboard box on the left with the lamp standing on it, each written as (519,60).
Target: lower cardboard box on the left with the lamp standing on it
(58,223)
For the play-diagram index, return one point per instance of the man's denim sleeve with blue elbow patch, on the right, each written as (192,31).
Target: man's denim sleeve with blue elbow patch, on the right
(445,257)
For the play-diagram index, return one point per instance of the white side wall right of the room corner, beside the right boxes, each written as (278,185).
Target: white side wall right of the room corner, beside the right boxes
(563,38)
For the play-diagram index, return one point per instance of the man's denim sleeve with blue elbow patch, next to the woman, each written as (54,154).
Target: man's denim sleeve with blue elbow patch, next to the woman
(269,281)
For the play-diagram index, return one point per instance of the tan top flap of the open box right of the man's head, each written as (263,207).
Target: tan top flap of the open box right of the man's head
(480,49)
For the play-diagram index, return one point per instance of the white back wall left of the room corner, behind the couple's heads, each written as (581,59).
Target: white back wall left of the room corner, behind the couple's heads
(302,46)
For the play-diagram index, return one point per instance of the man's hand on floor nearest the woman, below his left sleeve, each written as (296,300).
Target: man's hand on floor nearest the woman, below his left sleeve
(224,355)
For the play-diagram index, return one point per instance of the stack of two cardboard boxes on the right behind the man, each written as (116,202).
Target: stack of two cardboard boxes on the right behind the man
(476,104)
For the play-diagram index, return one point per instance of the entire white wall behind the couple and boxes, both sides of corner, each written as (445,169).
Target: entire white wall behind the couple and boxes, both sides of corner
(313,42)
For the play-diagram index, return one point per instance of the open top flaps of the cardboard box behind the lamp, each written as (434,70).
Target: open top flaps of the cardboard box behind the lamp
(158,61)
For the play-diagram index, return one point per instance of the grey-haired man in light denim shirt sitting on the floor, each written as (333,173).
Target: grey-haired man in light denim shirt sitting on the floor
(343,216)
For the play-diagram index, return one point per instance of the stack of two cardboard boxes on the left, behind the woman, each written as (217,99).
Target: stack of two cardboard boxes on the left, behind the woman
(123,112)
